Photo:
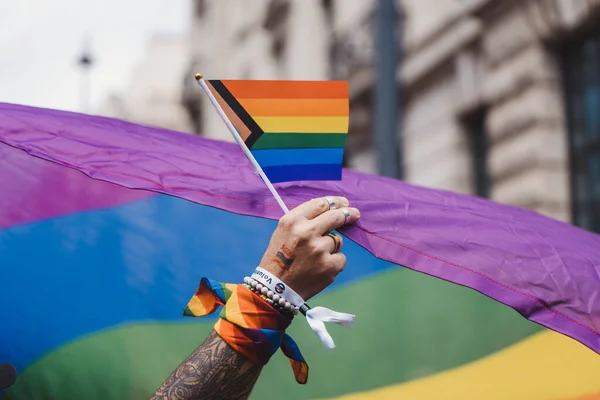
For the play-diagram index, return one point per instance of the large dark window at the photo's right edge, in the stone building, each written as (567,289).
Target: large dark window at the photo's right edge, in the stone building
(582,95)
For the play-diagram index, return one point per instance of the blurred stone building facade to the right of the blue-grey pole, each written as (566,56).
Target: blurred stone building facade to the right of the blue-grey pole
(490,96)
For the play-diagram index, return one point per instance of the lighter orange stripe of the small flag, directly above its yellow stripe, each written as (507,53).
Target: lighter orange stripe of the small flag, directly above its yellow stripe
(295,107)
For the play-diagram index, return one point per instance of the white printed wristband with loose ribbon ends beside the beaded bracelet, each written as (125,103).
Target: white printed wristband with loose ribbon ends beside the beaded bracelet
(314,316)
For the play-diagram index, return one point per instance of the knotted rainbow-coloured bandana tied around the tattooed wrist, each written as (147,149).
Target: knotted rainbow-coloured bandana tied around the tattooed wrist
(247,323)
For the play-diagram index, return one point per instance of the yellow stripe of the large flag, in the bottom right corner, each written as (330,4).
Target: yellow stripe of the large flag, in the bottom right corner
(546,366)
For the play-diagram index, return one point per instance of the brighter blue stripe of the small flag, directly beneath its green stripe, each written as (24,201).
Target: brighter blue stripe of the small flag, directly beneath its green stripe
(273,157)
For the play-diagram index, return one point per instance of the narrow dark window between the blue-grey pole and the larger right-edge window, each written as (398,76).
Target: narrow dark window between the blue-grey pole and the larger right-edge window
(474,124)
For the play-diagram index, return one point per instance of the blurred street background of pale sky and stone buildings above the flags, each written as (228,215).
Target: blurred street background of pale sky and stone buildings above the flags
(497,98)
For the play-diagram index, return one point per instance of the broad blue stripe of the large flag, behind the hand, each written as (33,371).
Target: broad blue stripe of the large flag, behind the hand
(81,273)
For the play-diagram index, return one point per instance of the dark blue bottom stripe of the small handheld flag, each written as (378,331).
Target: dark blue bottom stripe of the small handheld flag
(288,173)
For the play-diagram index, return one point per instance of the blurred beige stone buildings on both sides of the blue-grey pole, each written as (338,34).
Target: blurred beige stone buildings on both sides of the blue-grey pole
(500,98)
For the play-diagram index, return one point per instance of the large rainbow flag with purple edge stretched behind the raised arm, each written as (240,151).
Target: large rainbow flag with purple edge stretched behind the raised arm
(106,228)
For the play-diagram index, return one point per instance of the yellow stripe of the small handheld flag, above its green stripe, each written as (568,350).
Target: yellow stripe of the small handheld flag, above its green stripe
(303,124)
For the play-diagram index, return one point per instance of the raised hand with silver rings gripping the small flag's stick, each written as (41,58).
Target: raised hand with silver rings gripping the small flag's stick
(299,254)
